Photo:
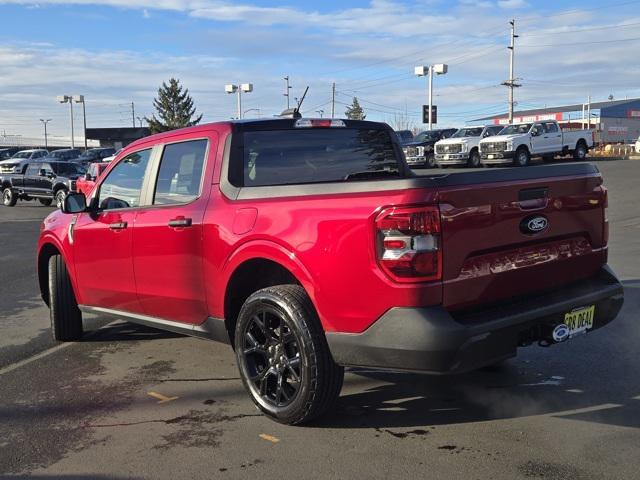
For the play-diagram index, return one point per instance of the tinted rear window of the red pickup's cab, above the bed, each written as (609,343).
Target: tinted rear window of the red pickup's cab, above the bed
(299,156)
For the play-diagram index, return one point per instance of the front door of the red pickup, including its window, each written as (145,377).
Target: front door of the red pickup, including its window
(103,240)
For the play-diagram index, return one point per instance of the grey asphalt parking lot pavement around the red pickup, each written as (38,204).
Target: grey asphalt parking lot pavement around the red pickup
(132,402)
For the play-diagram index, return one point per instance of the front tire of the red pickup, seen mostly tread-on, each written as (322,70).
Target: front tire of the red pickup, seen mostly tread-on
(66,318)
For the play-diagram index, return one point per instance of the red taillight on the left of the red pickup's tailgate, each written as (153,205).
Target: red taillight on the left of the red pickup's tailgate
(408,243)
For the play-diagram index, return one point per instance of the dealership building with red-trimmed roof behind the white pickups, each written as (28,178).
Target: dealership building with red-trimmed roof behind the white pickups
(614,121)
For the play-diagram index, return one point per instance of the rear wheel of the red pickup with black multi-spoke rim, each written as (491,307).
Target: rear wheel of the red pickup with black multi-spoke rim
(268,356)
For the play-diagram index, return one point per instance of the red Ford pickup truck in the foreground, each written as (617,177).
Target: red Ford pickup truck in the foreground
(309,245)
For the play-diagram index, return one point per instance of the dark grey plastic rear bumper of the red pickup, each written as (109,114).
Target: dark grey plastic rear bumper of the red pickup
(433,340)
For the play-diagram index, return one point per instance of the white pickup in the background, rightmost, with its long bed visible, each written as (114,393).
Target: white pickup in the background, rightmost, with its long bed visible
(519,142)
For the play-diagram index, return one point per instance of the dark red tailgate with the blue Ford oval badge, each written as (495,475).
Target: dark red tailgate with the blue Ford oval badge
(502,240)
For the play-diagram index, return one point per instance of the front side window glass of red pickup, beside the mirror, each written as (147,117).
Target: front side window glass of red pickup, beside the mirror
(123,186)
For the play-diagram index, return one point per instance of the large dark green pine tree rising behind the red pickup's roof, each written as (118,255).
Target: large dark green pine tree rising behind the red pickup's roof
(174,107)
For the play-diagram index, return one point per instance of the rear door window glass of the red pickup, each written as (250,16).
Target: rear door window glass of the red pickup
(180,172)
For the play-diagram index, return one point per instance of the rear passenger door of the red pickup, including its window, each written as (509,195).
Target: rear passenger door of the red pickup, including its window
(167,239)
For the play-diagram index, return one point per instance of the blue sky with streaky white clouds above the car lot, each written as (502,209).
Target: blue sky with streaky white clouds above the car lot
(115,52)
